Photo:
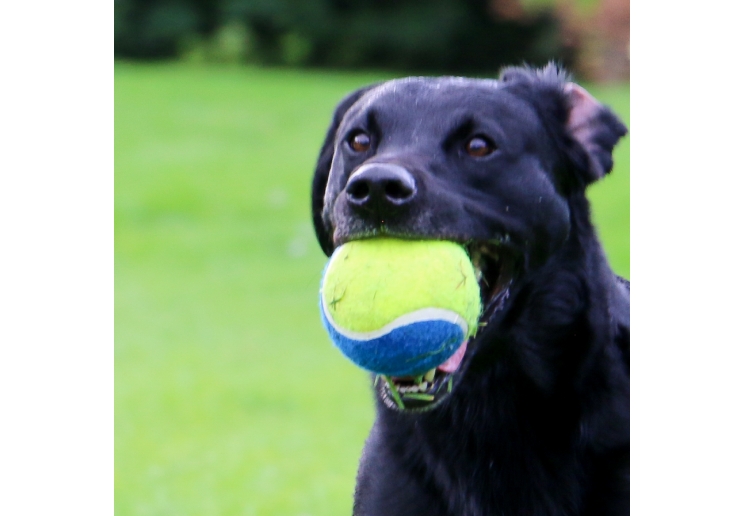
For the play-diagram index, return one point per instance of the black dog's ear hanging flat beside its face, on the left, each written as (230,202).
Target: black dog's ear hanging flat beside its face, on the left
(323,168)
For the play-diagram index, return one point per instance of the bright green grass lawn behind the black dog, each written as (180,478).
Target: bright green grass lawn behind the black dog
(229,398)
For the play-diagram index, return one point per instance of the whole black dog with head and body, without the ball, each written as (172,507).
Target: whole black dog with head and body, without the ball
(537,421)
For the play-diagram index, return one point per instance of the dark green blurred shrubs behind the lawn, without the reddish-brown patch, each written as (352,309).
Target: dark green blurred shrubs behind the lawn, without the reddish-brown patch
(425,35)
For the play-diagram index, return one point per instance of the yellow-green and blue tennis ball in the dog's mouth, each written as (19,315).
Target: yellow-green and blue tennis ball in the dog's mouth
(399,307)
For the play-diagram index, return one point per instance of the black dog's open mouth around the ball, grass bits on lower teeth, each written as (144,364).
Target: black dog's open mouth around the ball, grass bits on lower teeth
(495,268)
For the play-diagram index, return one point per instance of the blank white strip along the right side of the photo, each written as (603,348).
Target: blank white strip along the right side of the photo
(686,216)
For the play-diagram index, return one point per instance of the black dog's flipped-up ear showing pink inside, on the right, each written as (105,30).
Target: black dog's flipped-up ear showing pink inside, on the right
(595,128)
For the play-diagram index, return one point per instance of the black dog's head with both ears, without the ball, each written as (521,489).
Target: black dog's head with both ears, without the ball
(491,164)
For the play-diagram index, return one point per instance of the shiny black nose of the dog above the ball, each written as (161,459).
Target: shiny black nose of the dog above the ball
(380,187)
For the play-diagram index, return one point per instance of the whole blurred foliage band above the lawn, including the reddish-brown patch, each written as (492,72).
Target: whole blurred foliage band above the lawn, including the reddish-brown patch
(440,36)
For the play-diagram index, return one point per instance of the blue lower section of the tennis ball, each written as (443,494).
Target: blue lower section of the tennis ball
(406,350)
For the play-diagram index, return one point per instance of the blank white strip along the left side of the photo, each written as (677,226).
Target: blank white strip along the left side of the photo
(56,273)
